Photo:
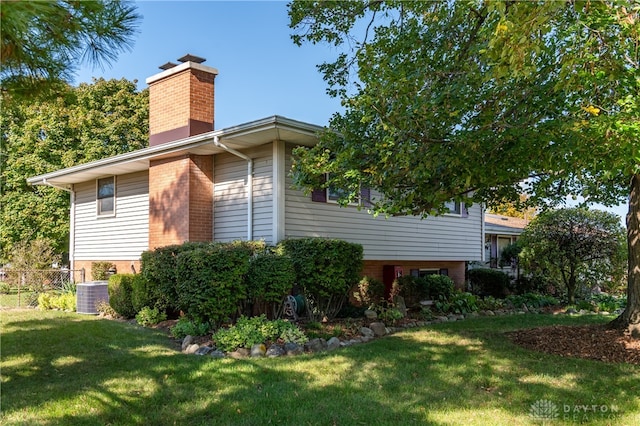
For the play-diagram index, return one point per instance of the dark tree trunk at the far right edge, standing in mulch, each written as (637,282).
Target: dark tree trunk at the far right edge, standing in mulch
(630,318)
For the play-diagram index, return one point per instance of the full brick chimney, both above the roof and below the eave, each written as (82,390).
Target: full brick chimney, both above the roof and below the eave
(181,104)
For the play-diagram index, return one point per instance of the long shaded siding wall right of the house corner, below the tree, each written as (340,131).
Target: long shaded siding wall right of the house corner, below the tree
(443,238)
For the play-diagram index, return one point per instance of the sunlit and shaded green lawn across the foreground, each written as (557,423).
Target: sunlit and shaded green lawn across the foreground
(62,368)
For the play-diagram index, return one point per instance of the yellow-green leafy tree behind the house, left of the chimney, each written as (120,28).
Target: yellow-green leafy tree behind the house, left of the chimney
(86,123)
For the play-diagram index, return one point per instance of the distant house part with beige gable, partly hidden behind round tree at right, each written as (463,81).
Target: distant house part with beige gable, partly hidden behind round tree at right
(500,232)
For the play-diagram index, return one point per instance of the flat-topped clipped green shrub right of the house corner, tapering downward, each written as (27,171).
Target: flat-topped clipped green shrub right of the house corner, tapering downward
(326,269)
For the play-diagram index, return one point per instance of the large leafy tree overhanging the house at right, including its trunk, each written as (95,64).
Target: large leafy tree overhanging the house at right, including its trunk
(480,101)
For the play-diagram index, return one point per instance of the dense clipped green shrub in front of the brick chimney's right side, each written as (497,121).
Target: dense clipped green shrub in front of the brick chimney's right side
(211,285)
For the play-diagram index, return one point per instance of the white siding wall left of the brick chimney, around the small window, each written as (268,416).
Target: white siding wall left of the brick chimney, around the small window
(123,236)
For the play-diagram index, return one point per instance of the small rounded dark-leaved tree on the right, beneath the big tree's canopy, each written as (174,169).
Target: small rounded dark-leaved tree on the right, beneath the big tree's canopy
(573,246)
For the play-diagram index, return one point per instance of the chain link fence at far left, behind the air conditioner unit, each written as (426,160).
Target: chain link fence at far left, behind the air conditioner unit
(20,288)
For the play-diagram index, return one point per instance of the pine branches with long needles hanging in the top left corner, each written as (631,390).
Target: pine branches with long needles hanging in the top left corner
(43,41)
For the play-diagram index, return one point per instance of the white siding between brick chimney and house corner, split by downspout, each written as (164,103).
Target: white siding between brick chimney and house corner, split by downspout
(230,195)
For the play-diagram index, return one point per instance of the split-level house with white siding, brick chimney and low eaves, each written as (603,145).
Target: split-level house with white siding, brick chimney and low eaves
(197,183)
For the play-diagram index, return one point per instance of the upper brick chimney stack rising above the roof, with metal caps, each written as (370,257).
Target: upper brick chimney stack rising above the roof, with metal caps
(181,100)
